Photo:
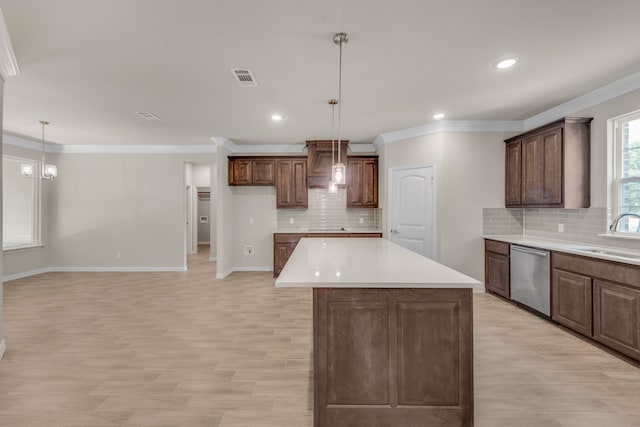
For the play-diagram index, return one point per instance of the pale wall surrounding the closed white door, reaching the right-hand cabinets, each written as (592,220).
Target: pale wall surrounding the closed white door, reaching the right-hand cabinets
(469,176)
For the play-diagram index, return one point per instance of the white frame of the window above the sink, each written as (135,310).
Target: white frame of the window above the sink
(616,168)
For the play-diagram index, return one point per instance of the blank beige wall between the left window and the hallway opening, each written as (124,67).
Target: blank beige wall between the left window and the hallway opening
(118,211)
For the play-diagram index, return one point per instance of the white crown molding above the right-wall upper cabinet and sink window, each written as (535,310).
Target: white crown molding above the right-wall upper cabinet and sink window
(605,93)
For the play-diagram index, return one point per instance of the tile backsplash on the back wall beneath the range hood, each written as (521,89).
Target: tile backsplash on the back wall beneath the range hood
(328,211)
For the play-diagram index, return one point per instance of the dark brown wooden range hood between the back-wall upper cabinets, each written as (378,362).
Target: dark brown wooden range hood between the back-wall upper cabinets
(319,161)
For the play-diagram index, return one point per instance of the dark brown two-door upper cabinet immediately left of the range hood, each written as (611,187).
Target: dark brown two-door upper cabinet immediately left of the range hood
(291,183)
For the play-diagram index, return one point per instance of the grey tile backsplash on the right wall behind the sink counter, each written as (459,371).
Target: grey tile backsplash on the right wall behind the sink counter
(580,225)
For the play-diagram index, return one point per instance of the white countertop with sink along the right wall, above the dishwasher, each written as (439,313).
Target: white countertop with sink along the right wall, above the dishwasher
(576,248)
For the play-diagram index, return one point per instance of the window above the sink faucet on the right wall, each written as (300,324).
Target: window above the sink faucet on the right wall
(626,171)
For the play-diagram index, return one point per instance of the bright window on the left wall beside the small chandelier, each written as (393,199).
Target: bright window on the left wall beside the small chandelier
(21,204)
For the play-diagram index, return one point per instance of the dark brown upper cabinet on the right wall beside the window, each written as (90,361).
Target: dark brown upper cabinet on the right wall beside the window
(550,166)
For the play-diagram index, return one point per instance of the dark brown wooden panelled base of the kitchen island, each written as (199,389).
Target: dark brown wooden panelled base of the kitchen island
(393,357)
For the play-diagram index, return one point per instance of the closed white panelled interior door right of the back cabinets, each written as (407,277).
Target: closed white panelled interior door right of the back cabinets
(411,209)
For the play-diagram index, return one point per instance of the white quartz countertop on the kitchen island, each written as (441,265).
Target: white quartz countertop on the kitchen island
(336,262)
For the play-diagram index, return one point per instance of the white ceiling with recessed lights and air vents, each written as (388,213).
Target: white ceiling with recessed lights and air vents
(88,65)
